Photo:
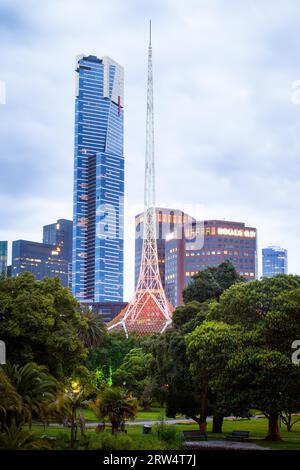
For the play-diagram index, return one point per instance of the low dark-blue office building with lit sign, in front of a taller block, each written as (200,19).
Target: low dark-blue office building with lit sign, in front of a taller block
(40,259)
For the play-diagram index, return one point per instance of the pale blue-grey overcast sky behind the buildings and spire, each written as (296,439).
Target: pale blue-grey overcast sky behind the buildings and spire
(227,112)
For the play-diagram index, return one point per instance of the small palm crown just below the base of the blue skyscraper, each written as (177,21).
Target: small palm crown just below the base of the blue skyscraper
(93,332)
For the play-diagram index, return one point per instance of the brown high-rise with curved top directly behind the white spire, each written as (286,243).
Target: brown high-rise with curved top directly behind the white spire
(167,220)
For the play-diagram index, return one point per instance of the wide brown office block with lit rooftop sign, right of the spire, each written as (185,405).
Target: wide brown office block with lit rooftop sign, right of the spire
(219,241)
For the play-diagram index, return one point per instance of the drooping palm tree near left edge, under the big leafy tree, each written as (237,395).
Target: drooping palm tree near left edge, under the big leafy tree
(35,387)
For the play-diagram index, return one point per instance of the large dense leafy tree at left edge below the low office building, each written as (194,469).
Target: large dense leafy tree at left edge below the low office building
(39,323)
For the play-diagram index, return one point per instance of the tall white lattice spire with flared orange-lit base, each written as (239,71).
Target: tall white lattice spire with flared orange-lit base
(149,311)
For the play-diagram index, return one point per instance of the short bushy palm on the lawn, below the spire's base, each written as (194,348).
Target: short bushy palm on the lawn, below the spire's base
(116,405)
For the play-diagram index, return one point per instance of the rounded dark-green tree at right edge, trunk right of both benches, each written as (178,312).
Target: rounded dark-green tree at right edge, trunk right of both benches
(266,380)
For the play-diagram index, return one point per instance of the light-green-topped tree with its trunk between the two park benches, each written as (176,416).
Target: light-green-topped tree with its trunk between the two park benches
(209,348)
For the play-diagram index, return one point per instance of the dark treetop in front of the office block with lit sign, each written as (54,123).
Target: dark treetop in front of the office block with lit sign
(211,282)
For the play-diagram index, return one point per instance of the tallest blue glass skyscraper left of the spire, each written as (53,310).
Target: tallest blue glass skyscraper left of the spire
(97,261)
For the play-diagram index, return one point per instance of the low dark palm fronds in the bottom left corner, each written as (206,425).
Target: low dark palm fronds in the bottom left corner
(16,438)
